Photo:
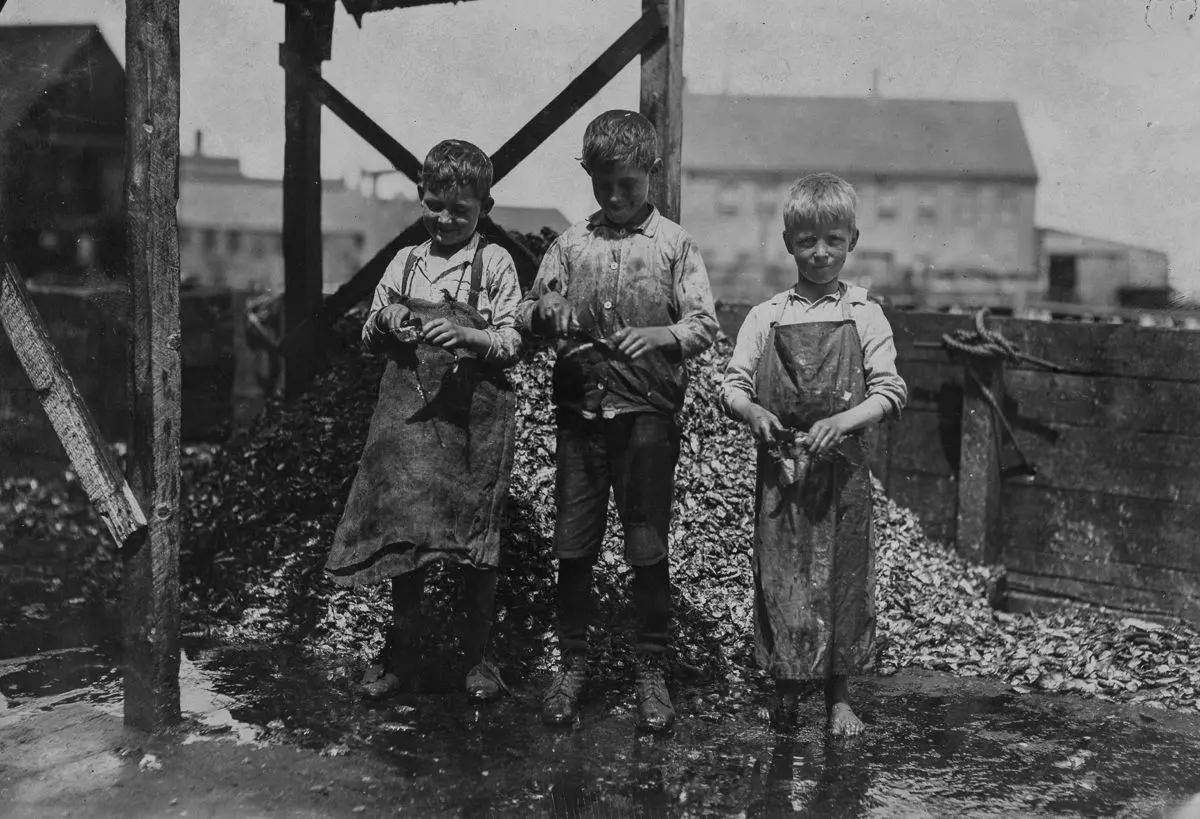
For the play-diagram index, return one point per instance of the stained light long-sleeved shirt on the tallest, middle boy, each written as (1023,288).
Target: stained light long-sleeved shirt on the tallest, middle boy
(615,277)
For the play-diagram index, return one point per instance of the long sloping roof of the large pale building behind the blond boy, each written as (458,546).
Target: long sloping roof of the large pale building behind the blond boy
(855,136)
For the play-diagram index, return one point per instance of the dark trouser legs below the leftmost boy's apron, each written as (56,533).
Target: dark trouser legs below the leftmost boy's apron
(479,603)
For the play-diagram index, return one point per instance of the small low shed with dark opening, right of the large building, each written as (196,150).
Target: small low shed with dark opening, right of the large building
(1097,272)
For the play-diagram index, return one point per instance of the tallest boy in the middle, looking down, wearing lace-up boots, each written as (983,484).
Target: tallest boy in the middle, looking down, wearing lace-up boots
(633,280)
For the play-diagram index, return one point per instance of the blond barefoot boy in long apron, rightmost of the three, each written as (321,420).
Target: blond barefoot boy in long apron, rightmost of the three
(813,368)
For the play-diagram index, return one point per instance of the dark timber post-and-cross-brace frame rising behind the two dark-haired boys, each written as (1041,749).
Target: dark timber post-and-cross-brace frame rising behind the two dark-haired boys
(657,37)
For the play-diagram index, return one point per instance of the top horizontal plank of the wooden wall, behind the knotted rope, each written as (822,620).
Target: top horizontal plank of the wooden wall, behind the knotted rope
(1083,349)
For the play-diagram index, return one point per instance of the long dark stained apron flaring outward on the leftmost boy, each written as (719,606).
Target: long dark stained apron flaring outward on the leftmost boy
(435,471)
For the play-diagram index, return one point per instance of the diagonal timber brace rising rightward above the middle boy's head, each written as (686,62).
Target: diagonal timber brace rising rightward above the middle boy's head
(638,38)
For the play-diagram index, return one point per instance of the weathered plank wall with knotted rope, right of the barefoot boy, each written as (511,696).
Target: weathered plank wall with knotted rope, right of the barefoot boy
(1113,513)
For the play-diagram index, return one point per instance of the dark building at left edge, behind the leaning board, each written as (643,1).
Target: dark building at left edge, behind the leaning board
(62,152)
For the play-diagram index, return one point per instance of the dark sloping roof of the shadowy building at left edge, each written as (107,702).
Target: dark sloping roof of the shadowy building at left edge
(37,58)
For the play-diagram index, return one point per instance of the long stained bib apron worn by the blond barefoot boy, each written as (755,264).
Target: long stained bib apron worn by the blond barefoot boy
(814,559)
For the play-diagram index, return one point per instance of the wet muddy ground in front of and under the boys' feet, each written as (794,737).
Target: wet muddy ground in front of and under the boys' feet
(274,732)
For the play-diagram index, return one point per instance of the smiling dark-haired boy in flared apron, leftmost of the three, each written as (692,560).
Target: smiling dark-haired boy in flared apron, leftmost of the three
(435,470)
